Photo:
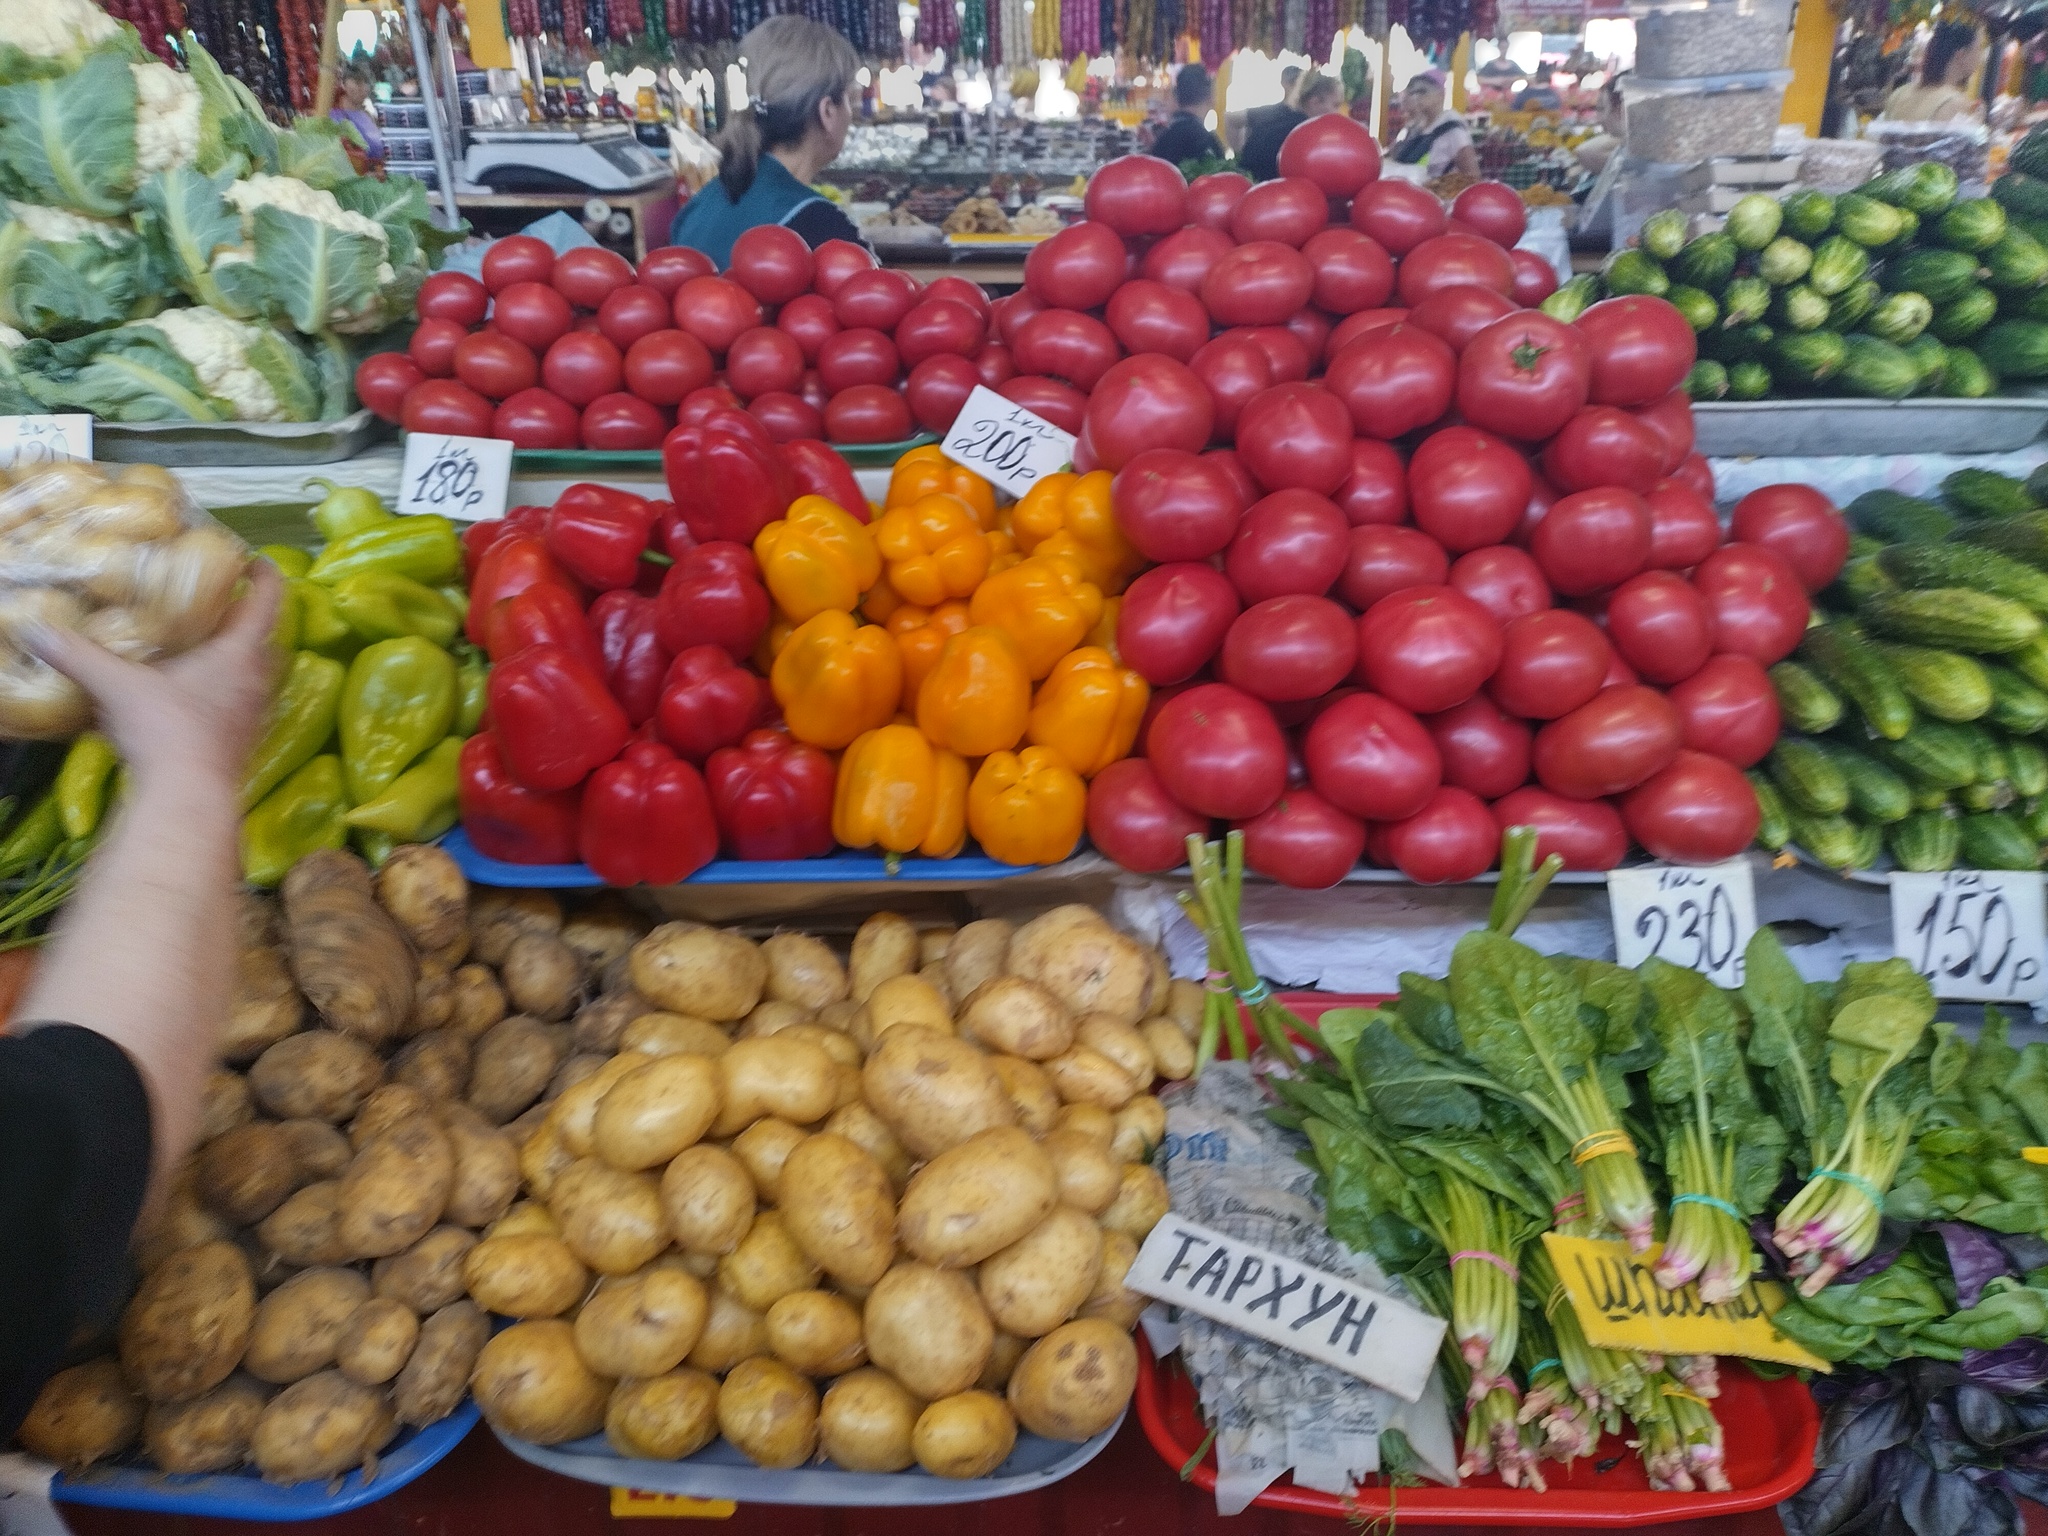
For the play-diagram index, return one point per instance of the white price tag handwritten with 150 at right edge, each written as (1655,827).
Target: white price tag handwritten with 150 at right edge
(1975,935)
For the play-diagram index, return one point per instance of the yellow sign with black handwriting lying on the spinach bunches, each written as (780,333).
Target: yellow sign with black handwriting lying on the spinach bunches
(1623,1308)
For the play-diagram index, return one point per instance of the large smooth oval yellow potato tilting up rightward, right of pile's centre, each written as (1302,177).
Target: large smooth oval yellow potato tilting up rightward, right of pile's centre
(976,1199)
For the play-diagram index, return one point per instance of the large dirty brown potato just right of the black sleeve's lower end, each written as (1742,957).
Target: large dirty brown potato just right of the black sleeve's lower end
(189,1322)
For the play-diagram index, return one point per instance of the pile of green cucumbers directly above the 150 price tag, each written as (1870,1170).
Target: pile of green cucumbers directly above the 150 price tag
(1916,710)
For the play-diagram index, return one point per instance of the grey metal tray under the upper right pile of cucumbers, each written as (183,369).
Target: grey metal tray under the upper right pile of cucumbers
(1730,429)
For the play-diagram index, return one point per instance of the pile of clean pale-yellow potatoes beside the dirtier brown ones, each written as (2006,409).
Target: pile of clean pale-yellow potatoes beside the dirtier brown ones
(873,1209)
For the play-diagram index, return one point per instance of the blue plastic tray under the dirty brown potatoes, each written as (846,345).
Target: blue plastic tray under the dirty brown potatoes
(245,1496)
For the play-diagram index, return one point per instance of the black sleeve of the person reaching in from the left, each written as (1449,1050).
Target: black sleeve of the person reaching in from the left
(75,1162)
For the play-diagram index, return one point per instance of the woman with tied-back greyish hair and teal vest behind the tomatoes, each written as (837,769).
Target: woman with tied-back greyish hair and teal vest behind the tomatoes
(800,85)
